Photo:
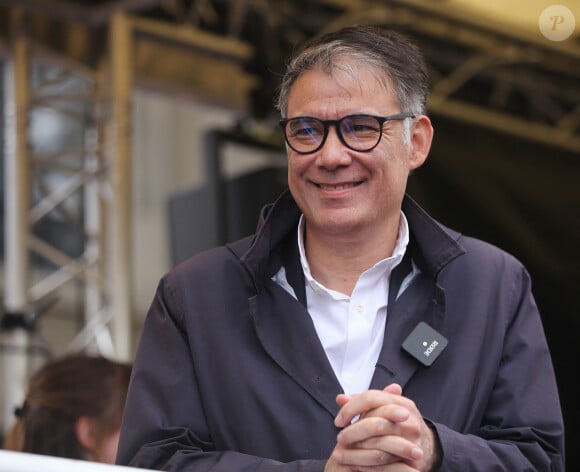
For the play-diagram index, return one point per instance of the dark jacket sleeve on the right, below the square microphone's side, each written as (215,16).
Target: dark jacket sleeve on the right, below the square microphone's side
(522,426)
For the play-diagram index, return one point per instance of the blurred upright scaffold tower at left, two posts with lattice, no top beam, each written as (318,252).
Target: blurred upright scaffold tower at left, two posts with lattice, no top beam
(94,172)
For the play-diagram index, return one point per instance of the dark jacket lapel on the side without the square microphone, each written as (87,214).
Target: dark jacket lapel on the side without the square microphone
(282,323)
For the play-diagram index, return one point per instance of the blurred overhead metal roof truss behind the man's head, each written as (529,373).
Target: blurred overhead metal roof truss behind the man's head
(483,73)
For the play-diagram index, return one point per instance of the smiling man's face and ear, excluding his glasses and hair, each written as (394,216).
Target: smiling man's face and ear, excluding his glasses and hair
(341,191)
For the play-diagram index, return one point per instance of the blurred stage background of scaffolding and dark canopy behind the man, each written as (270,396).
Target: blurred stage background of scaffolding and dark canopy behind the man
(136,133)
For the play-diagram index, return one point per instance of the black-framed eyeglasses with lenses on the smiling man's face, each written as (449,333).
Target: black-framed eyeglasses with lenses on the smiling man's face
(306,134)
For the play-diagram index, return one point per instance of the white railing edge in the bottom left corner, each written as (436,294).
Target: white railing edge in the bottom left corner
(24,462)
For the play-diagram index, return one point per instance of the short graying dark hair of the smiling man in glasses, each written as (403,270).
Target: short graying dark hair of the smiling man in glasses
(388,52)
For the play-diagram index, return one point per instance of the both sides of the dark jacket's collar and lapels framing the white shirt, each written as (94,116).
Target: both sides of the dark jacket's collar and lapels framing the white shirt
(275,244)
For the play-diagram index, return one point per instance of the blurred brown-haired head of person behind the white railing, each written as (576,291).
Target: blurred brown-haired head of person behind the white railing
(73,408)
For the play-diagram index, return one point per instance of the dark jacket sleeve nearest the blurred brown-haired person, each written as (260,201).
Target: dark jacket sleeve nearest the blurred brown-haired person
(158,429)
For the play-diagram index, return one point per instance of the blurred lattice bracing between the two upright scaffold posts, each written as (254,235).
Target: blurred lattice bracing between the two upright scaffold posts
(77,172)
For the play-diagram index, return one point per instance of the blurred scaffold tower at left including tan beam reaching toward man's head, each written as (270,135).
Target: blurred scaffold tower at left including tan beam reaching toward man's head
(105,49)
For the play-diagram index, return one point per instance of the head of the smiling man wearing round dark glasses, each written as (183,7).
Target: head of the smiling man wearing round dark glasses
(352,175)
